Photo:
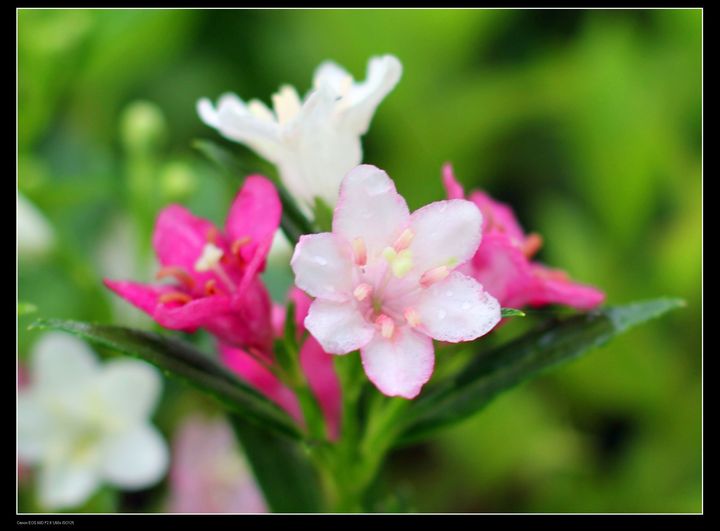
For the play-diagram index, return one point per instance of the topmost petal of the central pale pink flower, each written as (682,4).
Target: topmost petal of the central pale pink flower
(370,208)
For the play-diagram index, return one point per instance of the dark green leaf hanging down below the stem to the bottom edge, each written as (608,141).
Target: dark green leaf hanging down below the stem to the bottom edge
(282,469)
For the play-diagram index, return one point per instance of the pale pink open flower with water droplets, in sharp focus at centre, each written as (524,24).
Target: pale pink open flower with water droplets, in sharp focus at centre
(384,281)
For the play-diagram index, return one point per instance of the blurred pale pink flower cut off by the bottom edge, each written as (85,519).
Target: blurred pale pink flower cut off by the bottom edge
(208,473)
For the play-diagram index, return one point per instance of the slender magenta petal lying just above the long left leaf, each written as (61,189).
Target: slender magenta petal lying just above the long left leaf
(251,371)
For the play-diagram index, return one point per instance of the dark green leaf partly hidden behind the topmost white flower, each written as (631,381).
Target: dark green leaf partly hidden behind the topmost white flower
(293,221)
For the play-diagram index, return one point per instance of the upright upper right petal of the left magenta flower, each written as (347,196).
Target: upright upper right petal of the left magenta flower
(254,214)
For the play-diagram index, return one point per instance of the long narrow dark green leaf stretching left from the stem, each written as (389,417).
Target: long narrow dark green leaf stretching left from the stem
(179,359)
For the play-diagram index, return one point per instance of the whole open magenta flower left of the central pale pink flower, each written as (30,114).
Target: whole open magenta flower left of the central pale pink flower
(215,274)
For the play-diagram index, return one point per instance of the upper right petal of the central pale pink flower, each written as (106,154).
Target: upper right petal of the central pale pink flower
(447,233)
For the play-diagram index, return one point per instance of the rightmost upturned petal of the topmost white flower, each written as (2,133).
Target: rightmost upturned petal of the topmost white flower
(383,74)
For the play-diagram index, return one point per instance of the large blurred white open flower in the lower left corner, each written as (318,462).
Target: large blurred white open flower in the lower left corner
(83,423)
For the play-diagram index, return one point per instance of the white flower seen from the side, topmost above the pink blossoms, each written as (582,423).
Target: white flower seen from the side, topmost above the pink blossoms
(314,142)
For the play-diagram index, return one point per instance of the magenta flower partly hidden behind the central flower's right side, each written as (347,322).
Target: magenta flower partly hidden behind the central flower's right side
(502,263)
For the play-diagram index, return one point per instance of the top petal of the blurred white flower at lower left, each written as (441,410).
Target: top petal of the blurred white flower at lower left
(61,361)
